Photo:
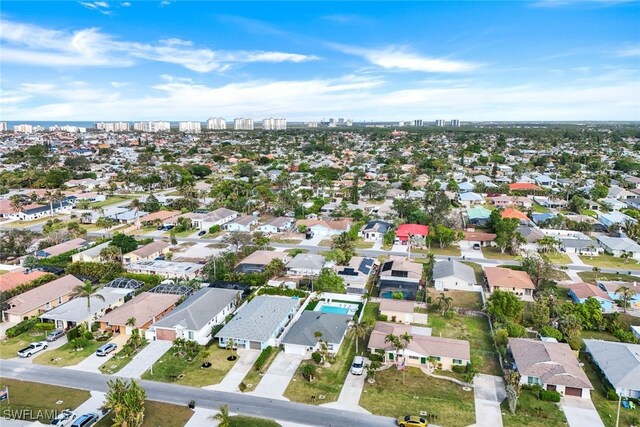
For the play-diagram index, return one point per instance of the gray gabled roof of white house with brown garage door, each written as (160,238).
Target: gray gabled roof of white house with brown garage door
(199,309)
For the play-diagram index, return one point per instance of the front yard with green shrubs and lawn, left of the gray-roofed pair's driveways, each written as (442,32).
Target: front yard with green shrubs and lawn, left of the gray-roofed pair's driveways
(183,364)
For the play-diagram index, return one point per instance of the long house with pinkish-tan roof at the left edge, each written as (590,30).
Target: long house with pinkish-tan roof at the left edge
(41,299)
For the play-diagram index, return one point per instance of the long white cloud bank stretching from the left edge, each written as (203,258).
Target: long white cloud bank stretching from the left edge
(37,46)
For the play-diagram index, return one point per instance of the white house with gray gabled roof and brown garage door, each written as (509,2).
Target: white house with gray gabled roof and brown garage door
(193,319)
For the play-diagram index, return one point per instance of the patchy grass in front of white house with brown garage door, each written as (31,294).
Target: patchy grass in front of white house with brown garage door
(192,372)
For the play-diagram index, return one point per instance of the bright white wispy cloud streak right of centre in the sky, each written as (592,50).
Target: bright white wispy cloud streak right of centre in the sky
(400,58)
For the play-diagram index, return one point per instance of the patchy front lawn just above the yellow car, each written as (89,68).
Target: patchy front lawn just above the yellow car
(388,396)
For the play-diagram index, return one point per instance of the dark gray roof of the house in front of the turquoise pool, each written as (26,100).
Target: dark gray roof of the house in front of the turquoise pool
(332,327)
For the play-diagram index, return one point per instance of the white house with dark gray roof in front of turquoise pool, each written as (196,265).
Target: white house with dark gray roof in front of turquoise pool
(302,338)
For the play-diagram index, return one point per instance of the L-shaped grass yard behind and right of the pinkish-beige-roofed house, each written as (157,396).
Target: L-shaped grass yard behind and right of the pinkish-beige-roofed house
(474,329)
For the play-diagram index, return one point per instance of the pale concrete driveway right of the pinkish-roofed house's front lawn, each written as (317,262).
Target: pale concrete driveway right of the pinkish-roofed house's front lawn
(488,392)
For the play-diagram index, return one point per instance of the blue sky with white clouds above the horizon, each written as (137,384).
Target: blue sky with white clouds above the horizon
(144,60)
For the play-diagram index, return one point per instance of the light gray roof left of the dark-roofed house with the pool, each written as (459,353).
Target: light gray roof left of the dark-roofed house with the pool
(259,320)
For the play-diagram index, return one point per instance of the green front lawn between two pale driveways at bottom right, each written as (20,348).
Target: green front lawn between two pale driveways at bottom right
(532,412)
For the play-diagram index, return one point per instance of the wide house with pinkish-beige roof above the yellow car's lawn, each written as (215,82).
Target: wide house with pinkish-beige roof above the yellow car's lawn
(422,350)
